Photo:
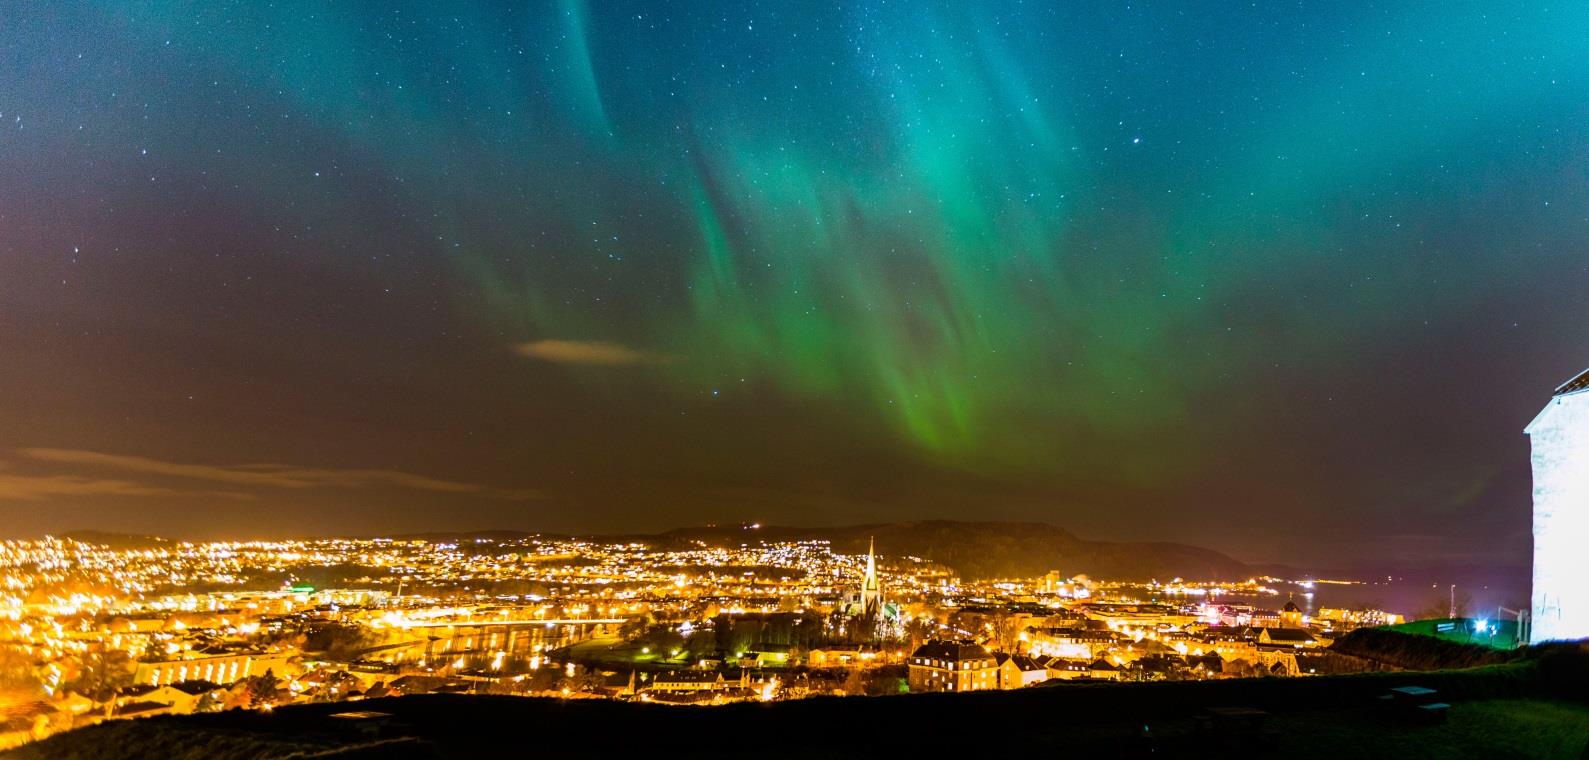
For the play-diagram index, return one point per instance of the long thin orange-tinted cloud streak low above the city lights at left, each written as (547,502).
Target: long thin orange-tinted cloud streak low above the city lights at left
(273,476)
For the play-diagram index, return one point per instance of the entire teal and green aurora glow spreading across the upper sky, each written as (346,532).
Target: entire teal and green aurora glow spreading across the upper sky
(1032,242)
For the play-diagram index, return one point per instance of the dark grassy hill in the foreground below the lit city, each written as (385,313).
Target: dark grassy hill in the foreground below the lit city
(1537,707)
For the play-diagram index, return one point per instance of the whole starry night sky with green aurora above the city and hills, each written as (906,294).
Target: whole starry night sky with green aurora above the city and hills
(1286,281)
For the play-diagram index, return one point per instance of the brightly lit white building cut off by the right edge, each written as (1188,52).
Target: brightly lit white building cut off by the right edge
(1561,514)
